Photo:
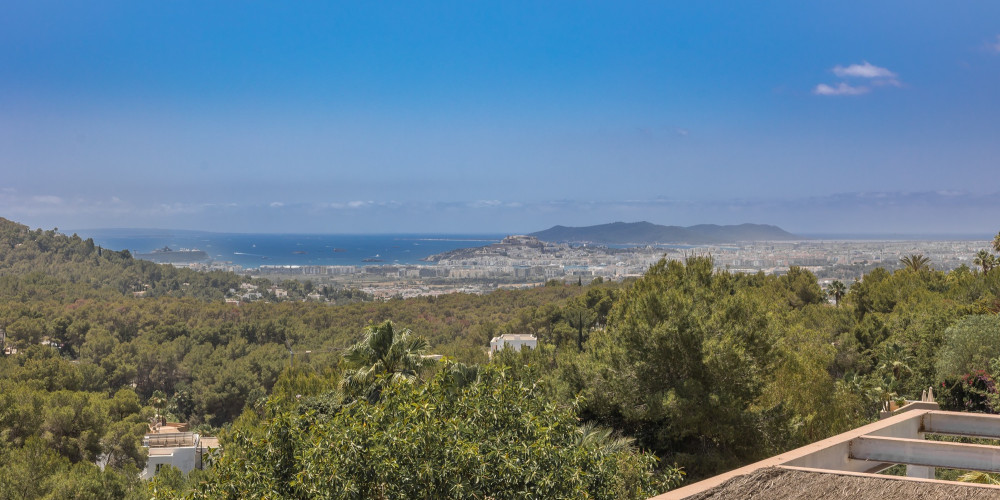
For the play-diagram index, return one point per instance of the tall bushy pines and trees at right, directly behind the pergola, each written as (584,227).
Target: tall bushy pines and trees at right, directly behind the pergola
(713,370)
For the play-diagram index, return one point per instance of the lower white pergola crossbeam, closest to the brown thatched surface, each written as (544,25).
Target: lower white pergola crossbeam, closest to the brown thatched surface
(926,453)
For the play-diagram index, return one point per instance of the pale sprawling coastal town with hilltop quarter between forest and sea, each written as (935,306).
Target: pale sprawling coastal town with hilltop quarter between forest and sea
(525,261)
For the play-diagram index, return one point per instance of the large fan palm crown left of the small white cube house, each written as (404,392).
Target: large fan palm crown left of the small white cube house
(384,351)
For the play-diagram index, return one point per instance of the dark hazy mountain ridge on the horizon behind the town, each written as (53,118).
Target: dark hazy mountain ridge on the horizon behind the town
(647,233)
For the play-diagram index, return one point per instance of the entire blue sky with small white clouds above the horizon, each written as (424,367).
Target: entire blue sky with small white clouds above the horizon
(326,117)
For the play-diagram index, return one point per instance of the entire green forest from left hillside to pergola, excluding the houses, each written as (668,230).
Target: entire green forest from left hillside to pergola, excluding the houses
(635,386)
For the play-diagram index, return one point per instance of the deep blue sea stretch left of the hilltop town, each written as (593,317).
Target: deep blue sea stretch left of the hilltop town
(255,250)
